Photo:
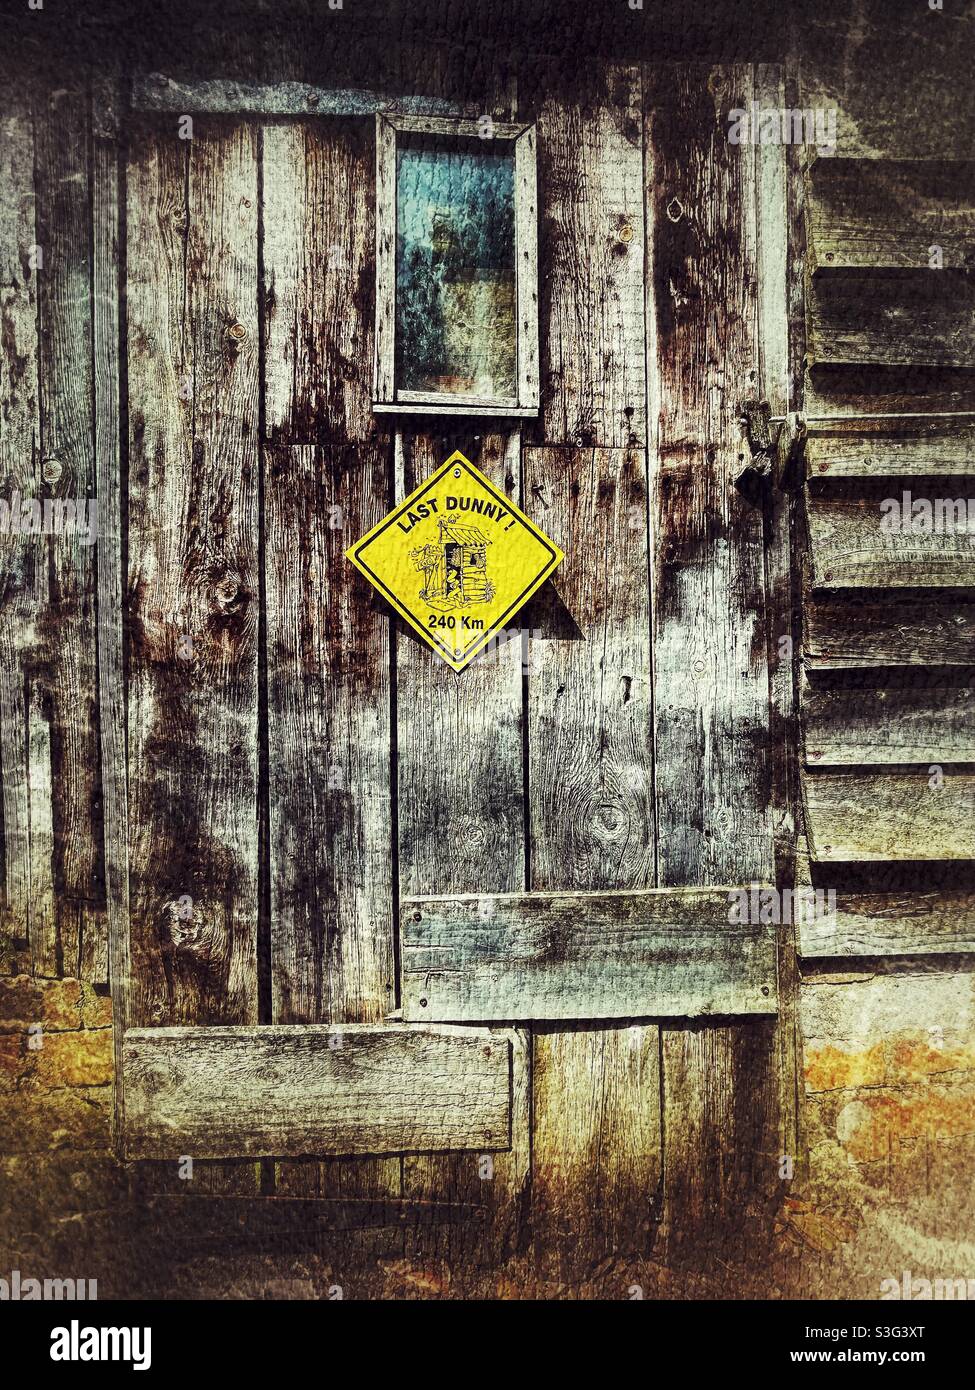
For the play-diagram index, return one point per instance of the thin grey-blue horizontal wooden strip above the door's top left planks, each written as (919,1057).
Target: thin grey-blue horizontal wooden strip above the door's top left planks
(162,94)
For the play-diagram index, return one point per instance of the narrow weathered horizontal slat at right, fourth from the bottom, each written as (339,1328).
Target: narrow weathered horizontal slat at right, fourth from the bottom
(842,635)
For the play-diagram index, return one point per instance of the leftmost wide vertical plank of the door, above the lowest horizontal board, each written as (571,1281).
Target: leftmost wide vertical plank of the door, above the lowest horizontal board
(193,717)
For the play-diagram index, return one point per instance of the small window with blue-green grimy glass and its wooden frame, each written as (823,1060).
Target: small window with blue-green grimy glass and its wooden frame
(457,288)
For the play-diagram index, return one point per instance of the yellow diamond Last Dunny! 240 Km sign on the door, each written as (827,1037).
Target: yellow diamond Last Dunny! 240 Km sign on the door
(457,559)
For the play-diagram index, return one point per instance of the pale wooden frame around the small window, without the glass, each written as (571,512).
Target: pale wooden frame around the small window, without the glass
(387,397)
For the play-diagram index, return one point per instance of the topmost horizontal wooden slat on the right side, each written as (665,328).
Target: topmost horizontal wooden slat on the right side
(891,213)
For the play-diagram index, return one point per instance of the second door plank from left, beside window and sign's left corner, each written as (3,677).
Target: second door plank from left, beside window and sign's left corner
(329,697)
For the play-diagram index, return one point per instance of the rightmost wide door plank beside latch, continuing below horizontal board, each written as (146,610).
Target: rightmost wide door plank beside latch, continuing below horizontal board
(710,629)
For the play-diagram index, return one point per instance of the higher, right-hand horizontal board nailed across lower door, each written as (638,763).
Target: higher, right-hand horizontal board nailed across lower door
(660,953)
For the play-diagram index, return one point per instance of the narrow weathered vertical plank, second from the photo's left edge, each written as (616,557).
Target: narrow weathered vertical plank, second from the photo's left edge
(67,657)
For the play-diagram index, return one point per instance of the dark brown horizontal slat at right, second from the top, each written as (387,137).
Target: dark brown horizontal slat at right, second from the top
(874,319)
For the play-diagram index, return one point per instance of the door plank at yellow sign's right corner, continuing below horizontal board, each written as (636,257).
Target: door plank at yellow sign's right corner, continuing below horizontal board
(597,1139)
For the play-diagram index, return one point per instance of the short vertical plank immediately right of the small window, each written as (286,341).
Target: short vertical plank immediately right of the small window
(592,325)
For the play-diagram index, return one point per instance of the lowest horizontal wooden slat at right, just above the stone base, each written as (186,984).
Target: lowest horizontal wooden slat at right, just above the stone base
(894,924)
